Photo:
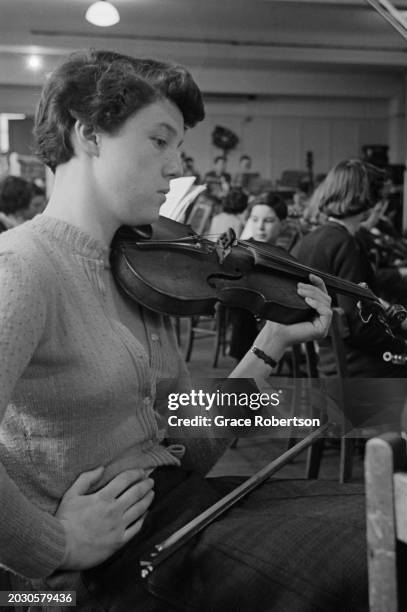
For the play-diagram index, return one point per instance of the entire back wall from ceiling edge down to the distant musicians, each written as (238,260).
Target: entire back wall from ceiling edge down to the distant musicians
(278,116)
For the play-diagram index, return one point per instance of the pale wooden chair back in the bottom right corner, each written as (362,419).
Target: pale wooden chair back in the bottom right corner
(386,514)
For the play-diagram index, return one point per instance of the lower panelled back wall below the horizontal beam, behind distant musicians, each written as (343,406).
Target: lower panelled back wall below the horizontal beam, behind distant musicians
(278,133)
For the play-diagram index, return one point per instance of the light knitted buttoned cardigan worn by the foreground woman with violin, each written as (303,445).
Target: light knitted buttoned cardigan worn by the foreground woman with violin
(77,388)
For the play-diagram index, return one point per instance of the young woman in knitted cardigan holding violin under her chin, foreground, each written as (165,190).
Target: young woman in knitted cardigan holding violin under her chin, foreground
(86,479)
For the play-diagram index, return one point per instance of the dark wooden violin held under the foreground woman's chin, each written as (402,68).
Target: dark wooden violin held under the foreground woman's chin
(170,269)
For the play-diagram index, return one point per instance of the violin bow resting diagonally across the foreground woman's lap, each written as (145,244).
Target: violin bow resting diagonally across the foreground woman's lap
(167,547)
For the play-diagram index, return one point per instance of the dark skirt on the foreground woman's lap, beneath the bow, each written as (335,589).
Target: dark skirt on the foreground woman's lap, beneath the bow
(290,546)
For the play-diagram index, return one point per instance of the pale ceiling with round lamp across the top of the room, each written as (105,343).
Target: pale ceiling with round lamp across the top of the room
(226,32)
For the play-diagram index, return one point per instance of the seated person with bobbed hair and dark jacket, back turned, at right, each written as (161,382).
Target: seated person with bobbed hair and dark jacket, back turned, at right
(346,197)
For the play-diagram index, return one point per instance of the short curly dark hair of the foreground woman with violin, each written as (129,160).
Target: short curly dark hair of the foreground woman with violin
(102,89)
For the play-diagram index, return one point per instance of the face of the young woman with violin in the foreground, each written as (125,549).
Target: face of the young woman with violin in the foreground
(134,166)
